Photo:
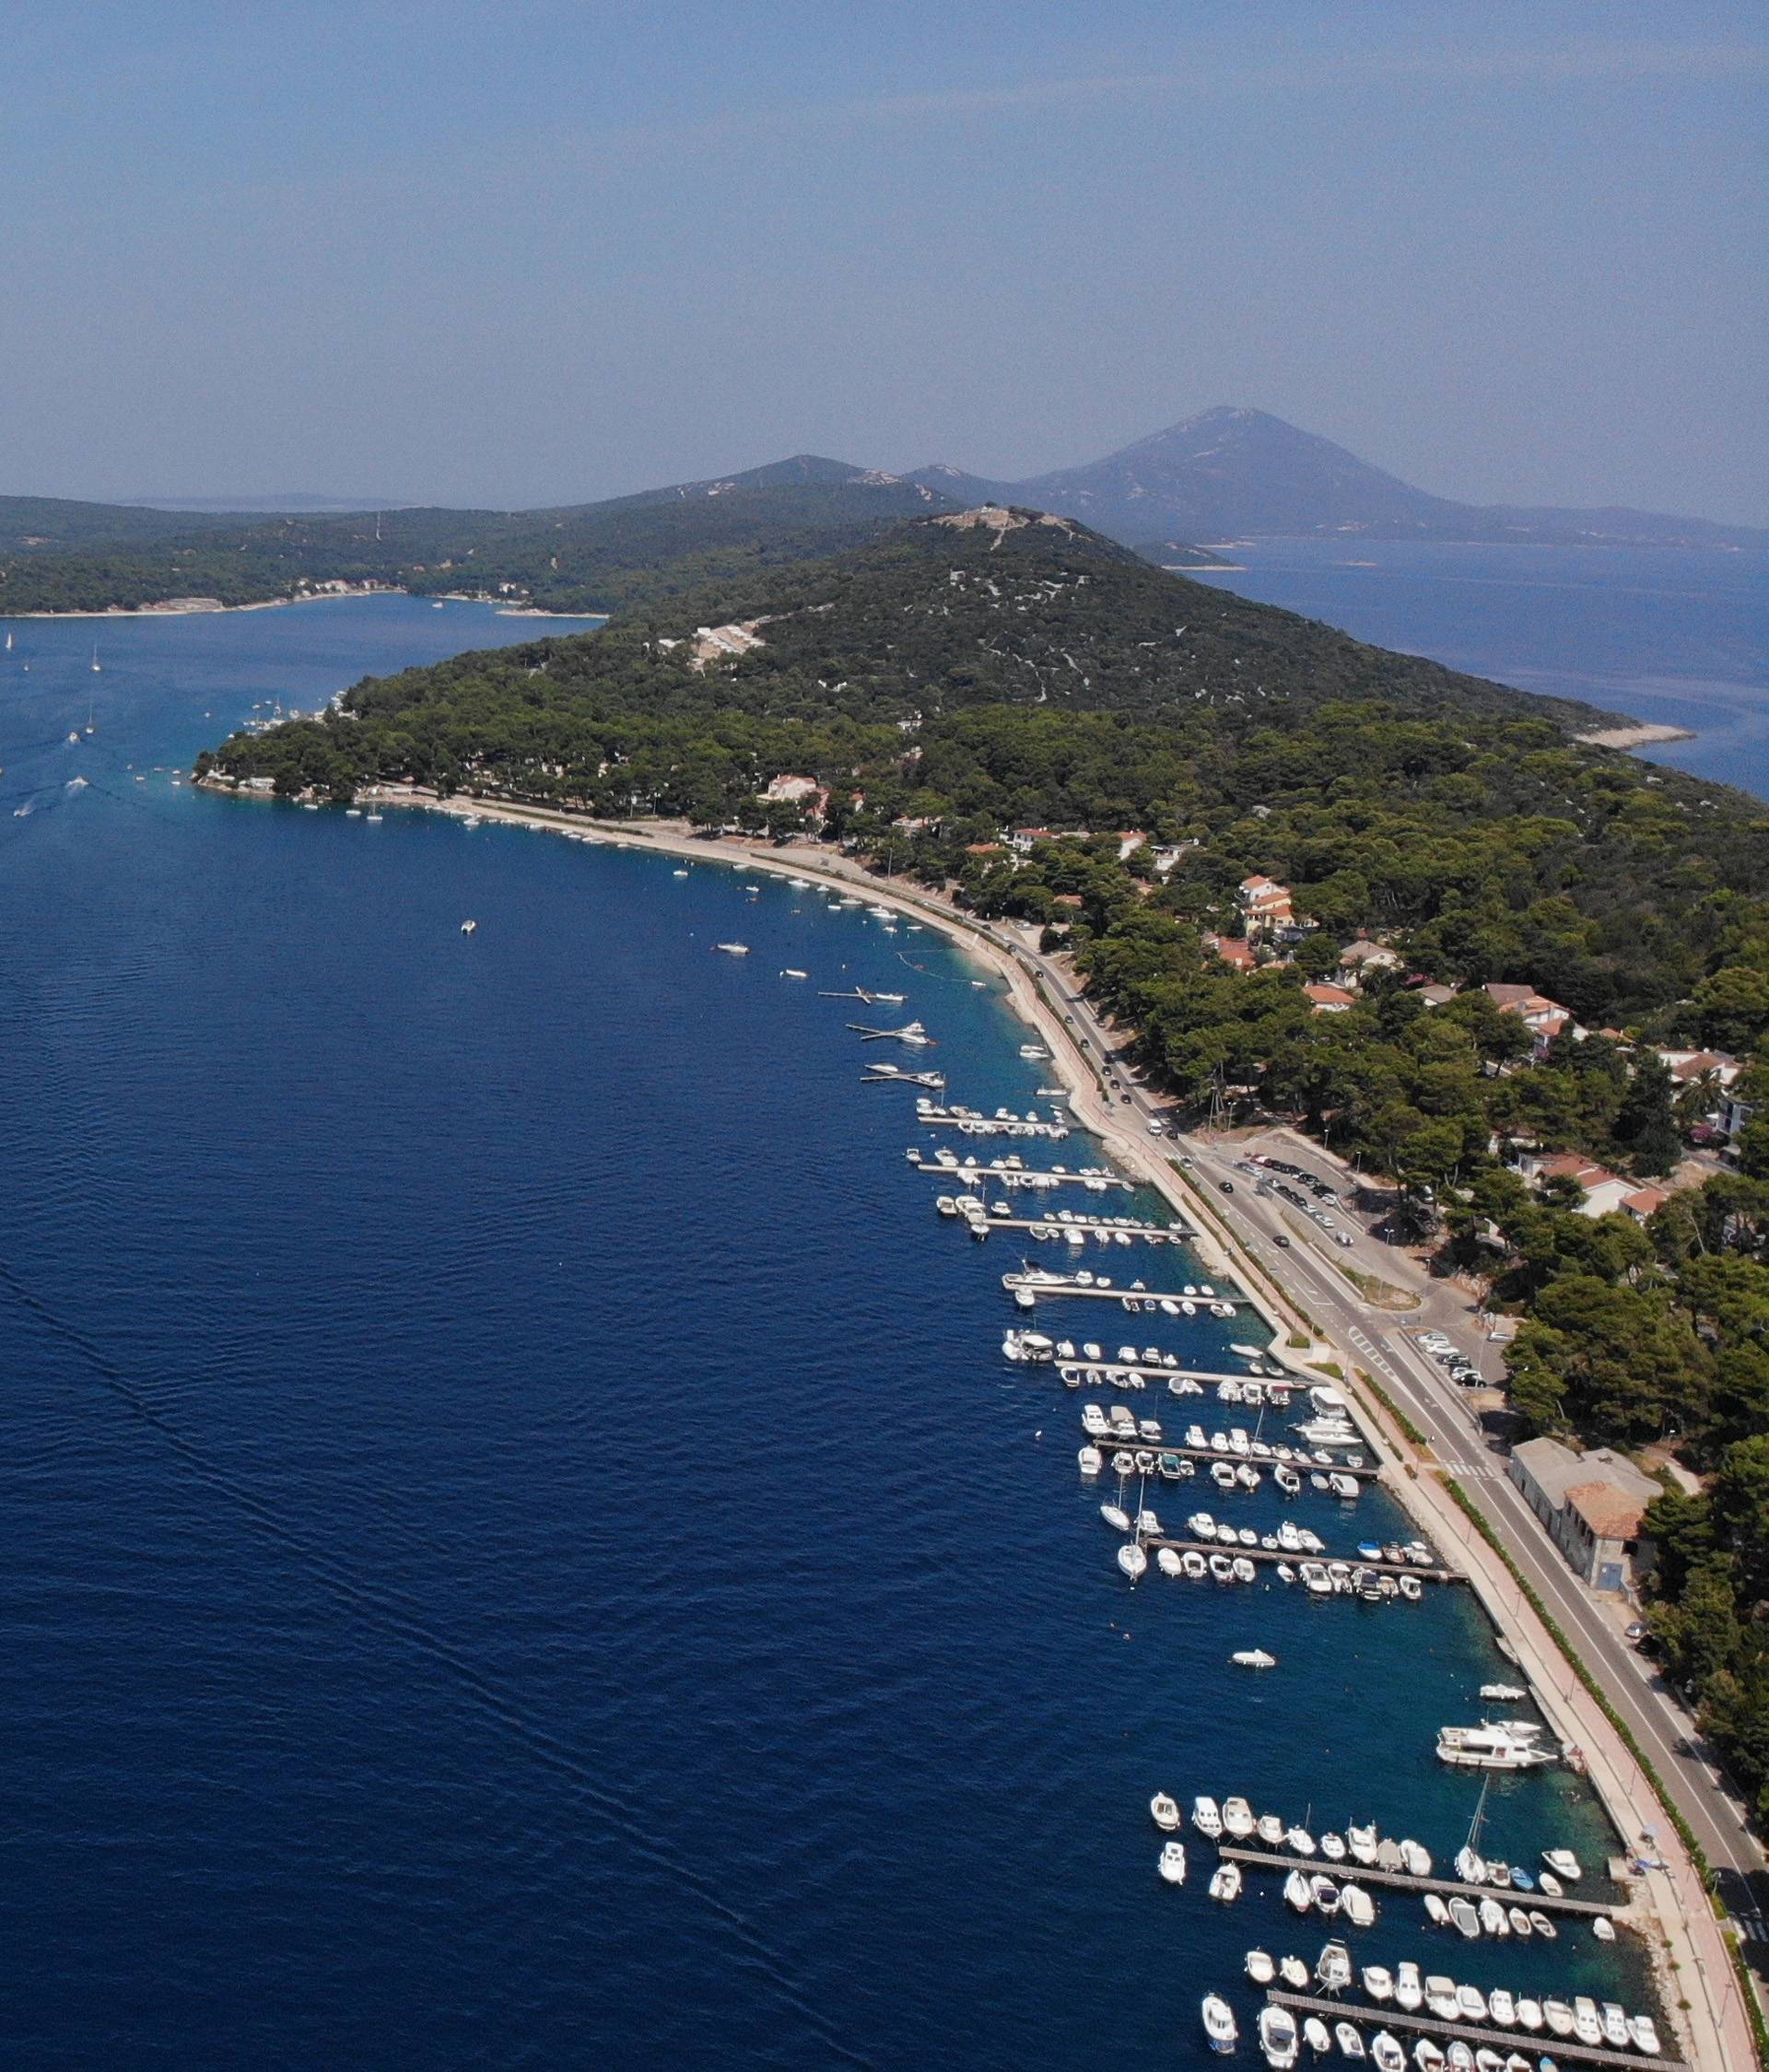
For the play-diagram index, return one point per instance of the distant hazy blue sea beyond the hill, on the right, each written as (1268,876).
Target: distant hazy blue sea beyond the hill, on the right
(1666,635)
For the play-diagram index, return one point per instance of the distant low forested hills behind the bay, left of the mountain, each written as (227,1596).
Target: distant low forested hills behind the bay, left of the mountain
(577,558)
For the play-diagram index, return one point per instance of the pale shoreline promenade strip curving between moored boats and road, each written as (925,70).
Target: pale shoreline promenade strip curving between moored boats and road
(1675,1920)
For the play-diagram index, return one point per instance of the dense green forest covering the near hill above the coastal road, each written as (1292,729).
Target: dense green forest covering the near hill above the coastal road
(960,681)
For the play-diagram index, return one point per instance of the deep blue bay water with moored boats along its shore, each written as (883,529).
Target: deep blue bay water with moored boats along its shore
(521,1545)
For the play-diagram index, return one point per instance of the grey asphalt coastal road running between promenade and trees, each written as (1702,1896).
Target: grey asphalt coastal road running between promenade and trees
(1640,1694)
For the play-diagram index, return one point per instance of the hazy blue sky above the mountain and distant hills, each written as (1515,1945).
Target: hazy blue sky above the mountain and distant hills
(542,252)
